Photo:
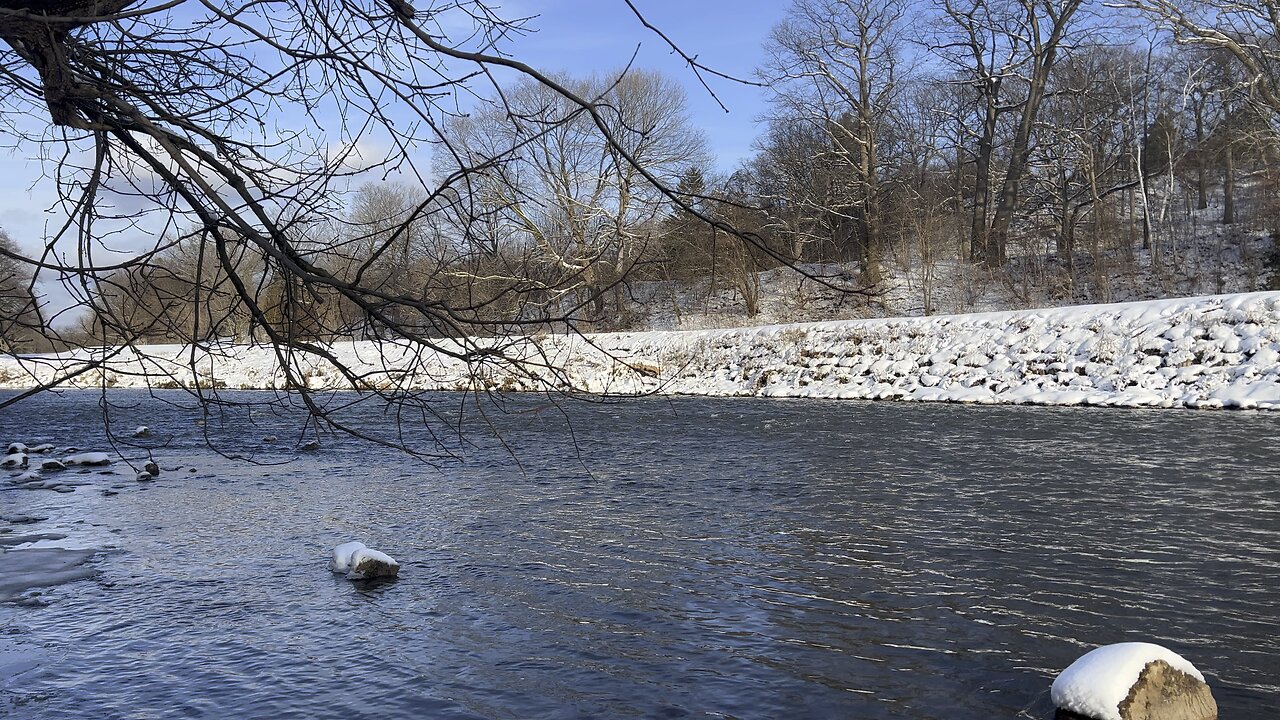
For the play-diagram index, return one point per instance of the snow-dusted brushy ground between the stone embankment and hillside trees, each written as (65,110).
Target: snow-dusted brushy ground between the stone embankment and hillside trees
(1197,257)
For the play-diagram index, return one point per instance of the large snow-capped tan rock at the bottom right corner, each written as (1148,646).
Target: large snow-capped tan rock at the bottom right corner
(1133,682)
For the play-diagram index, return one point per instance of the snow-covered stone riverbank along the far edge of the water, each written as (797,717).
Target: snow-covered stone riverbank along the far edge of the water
(1222,352)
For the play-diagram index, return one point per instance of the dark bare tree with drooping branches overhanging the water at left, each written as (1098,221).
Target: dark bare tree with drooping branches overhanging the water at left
(250,122)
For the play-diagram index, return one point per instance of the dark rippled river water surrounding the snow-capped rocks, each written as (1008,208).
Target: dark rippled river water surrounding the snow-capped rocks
(691,559)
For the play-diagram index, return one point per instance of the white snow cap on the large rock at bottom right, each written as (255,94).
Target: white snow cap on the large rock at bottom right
(1096,683)
